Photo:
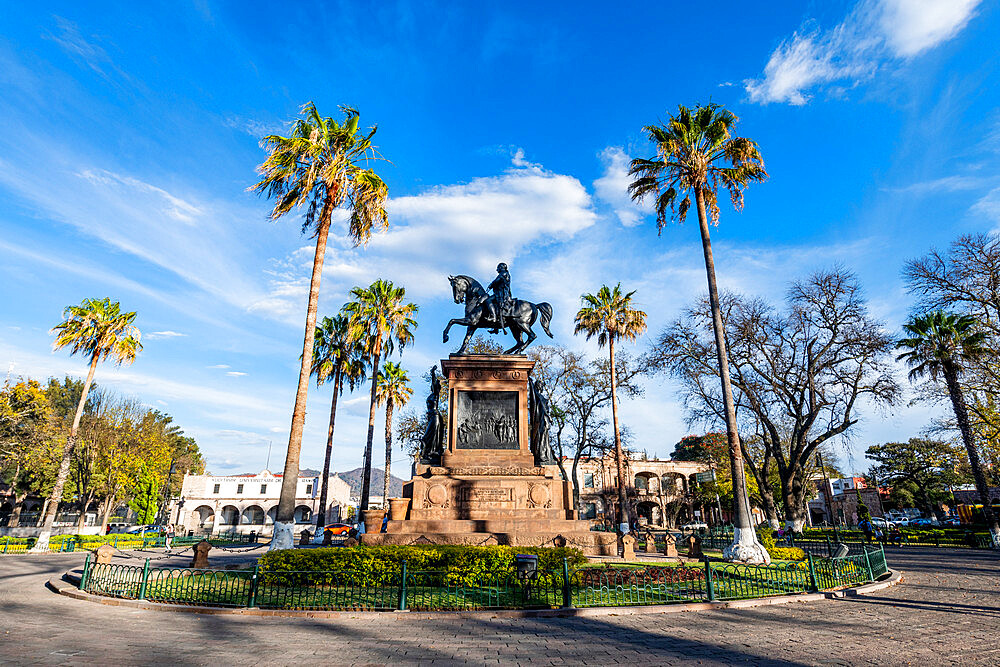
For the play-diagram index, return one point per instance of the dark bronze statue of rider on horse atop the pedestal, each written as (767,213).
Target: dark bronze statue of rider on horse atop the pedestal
(497,312)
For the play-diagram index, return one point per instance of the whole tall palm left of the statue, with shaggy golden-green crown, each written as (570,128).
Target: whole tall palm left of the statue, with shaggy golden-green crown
(319,167)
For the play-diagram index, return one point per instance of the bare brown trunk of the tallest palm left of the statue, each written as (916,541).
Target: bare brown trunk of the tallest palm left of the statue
(284,521)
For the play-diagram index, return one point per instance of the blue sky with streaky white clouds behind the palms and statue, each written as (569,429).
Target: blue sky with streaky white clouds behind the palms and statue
(130,137)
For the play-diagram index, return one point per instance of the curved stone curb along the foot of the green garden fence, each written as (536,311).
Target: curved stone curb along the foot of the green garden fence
(65,586)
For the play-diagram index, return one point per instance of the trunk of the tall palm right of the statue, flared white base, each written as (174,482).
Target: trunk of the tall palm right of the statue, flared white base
(745,546)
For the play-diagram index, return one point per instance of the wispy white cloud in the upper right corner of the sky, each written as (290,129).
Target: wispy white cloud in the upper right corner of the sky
(874,33)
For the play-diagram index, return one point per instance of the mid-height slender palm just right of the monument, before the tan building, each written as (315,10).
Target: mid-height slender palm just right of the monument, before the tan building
(609,315)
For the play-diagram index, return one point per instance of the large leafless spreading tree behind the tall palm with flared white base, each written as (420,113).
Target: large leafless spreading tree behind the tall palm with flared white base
(798,376)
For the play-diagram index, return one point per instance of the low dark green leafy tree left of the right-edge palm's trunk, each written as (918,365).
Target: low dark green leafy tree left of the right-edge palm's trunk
(929,464)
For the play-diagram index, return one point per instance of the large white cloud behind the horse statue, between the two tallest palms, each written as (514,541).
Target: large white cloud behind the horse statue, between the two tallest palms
(482,222)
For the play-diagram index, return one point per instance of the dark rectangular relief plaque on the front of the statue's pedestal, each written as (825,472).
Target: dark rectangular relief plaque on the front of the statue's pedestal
(486,420)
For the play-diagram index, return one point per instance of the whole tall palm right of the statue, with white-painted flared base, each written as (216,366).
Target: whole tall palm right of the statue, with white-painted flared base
(695,154)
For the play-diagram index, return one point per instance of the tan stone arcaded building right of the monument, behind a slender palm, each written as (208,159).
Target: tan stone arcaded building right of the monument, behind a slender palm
(658,489)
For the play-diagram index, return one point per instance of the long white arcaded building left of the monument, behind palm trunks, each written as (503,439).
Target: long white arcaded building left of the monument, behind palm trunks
(249,503)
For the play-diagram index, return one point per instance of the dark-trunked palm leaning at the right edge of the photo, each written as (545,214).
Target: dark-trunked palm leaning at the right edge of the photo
(941,344)
